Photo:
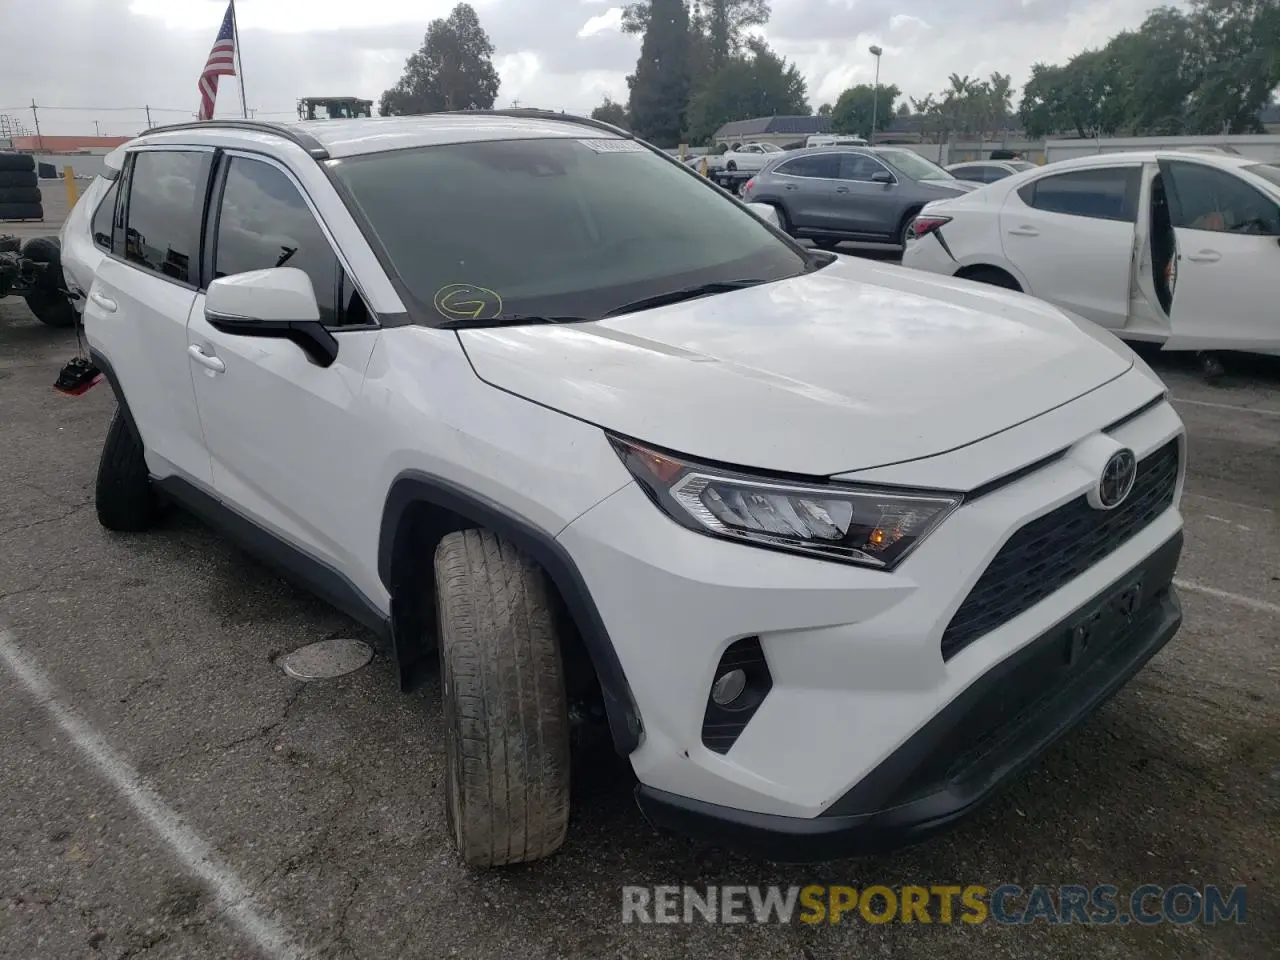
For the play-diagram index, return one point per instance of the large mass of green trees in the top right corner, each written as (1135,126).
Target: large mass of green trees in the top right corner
(1206,71)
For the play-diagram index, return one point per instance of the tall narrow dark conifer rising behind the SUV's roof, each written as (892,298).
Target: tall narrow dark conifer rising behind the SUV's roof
(660,88)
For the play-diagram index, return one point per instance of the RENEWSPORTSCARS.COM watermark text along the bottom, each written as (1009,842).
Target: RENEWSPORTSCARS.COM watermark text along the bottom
(1007,904)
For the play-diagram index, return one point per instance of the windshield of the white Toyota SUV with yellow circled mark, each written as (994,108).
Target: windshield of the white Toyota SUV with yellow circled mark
(557,227)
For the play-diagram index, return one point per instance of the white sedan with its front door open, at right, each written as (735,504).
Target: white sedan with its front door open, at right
(1174,248)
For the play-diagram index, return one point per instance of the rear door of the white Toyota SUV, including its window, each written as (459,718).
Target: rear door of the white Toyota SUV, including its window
(141,296)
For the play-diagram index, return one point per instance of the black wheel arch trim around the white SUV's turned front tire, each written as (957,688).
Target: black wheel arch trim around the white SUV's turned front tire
(419,511)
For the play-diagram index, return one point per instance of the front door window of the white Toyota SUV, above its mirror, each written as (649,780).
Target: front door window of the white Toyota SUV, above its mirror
(264,222)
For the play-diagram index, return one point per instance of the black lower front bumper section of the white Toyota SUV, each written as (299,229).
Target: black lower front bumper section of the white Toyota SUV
(982,739)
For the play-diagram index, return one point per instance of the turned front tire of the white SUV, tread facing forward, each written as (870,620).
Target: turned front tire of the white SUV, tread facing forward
(506,714)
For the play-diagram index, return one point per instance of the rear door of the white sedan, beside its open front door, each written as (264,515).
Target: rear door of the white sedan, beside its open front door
(1072,237)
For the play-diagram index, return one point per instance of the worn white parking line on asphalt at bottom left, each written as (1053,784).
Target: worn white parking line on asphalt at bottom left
(234,897)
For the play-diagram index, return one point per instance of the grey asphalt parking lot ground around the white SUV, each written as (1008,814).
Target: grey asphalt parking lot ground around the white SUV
(168,792)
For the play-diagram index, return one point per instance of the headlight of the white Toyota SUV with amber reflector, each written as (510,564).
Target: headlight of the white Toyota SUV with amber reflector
(872,528)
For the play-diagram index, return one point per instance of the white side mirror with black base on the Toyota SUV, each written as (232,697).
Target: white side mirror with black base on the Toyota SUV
(276,303)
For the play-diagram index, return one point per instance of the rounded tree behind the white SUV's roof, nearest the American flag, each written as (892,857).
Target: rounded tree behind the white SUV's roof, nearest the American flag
(454,70)
